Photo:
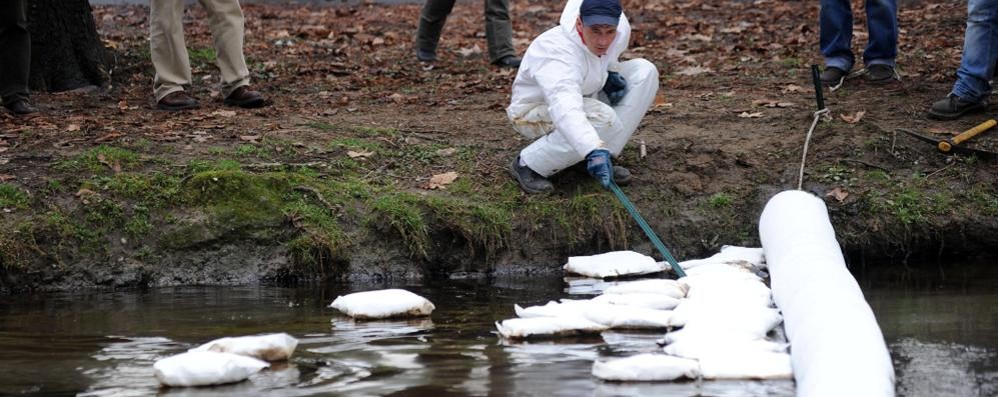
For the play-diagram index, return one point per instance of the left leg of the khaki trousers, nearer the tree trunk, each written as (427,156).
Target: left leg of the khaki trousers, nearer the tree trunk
(167,47)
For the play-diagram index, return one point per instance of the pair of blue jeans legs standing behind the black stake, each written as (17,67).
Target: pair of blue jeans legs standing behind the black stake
(836,33)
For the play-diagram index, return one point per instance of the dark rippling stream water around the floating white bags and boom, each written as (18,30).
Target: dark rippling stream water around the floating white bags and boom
(944,342)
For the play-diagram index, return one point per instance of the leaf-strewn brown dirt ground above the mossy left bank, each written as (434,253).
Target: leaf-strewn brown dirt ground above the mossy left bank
(726,132)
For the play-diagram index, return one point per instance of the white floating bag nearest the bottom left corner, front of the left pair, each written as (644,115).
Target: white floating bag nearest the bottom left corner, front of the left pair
(204,368)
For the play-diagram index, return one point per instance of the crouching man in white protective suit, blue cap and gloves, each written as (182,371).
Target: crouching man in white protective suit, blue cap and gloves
(576,99)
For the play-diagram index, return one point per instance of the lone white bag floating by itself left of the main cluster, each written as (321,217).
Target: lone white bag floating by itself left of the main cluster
(387,303)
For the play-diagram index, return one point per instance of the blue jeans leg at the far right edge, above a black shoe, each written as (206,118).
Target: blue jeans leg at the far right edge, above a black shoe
(980,51)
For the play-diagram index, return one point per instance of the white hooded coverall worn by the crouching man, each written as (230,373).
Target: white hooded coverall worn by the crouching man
(554,96)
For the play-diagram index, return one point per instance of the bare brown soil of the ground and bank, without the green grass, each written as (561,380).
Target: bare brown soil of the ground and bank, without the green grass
(726,134)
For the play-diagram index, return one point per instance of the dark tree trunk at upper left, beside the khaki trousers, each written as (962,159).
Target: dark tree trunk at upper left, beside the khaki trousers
(66,52)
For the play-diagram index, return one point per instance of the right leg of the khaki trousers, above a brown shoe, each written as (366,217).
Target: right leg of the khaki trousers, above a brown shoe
(227,29)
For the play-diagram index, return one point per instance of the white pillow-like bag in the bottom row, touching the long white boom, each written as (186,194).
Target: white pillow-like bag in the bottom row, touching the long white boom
(748,365)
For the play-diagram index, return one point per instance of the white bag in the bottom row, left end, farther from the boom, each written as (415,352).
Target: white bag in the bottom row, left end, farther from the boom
(646,367)
